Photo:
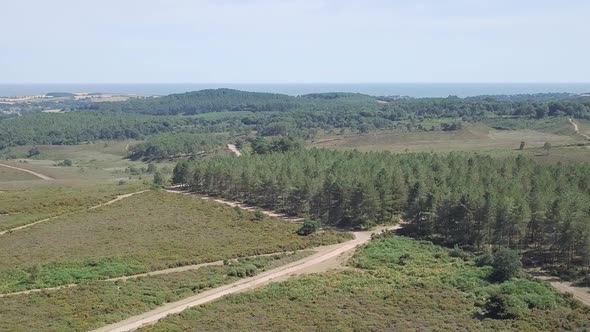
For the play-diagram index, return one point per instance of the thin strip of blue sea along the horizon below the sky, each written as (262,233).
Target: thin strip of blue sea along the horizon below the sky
(375,89)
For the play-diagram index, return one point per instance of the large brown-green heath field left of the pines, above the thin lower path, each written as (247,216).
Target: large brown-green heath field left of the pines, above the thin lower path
(151,231)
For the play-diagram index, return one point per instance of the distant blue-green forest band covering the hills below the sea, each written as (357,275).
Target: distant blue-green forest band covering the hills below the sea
(272,115)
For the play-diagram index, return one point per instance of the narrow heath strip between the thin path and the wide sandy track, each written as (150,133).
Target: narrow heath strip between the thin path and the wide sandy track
(99,303)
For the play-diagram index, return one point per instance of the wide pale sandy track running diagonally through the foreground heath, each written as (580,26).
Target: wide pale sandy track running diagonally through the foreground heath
(305,265)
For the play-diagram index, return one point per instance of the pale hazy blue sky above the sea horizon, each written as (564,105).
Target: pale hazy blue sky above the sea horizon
(295,41)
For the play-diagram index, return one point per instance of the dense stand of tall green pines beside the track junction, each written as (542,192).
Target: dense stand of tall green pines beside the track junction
(471,200)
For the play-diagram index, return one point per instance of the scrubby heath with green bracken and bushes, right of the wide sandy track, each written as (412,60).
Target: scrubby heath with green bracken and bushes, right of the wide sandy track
(399,284)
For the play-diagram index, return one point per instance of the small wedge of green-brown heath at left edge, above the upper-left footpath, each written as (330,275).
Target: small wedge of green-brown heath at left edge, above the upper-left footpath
(22,206)
